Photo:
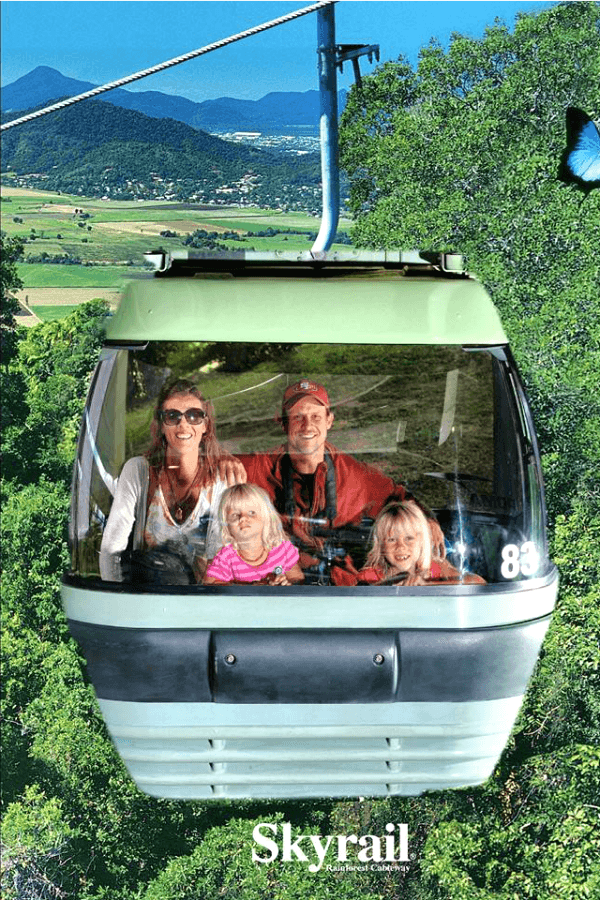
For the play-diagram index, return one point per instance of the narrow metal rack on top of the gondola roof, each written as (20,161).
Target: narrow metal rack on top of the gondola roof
(246,262)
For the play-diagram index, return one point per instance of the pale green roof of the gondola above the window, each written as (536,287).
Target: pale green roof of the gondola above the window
(309,301)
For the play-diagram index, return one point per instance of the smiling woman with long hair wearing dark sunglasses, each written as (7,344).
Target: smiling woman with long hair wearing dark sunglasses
(168,499)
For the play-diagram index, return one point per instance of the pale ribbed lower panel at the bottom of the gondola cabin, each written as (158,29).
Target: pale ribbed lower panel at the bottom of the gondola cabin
(199,751)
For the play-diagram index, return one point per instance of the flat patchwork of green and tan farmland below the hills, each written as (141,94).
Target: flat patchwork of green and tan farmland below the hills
(112,233)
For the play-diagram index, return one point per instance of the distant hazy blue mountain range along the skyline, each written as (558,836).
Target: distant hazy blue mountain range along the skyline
(275,113)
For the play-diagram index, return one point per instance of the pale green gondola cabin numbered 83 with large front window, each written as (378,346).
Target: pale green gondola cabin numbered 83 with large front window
(332,686)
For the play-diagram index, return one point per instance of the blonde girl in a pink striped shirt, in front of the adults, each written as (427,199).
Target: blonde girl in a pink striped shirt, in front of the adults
(254,545)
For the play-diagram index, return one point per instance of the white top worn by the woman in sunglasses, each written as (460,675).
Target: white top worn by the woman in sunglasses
(198,535)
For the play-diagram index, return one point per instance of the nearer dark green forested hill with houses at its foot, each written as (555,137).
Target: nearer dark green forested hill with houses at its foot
(97,149)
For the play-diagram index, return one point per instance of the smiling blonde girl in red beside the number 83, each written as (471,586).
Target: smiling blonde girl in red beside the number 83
(402,550)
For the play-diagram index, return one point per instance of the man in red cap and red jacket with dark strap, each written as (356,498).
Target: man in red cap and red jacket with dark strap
(315,487)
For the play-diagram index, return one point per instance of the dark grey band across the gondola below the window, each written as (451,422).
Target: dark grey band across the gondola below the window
(309,666)
